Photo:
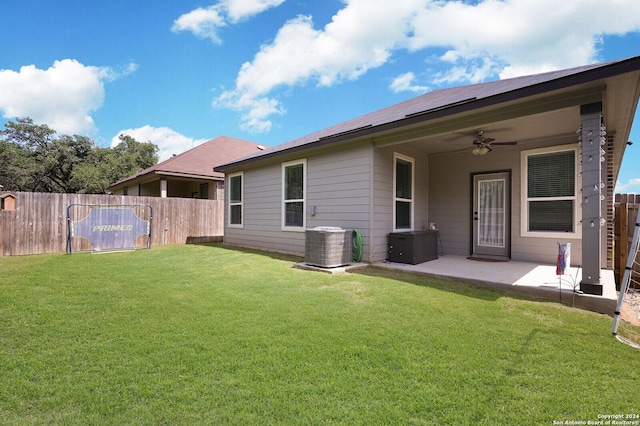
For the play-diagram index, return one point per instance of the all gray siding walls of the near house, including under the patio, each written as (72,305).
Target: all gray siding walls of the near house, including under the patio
(352,188)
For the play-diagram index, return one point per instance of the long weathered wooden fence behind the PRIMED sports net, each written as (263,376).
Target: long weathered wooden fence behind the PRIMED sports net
(36,223)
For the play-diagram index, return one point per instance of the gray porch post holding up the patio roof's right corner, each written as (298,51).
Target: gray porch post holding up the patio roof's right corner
(592,189)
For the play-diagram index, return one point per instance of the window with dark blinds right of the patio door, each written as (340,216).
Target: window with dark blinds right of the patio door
(549,190)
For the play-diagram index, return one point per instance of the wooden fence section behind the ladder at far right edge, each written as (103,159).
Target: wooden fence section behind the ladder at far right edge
(626,206)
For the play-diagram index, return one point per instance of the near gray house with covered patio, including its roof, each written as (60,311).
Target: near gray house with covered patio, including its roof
(546,178)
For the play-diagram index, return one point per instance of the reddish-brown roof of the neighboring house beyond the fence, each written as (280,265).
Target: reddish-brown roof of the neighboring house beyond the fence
(198,162)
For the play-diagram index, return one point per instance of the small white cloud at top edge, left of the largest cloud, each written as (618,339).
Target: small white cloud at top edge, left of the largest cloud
(205,22)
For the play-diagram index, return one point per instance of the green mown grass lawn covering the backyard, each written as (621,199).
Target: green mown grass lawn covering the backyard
(202,334)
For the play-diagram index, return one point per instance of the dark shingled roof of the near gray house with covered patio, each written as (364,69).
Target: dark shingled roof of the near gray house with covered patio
(445,102)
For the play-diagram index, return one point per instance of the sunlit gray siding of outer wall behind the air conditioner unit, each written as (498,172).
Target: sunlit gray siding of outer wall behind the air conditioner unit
(338,186)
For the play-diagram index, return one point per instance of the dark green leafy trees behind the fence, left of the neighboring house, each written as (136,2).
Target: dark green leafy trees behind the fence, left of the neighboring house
(34,158)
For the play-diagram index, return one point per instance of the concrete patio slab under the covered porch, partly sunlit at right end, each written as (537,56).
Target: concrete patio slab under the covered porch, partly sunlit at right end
(521,277)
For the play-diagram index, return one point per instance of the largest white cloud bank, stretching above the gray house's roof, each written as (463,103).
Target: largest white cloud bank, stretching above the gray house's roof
(481,40)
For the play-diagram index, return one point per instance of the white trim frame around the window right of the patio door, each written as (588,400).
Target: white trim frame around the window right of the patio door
(524,201)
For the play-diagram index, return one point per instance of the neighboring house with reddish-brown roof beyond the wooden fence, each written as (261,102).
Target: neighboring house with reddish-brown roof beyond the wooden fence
(190,174)
